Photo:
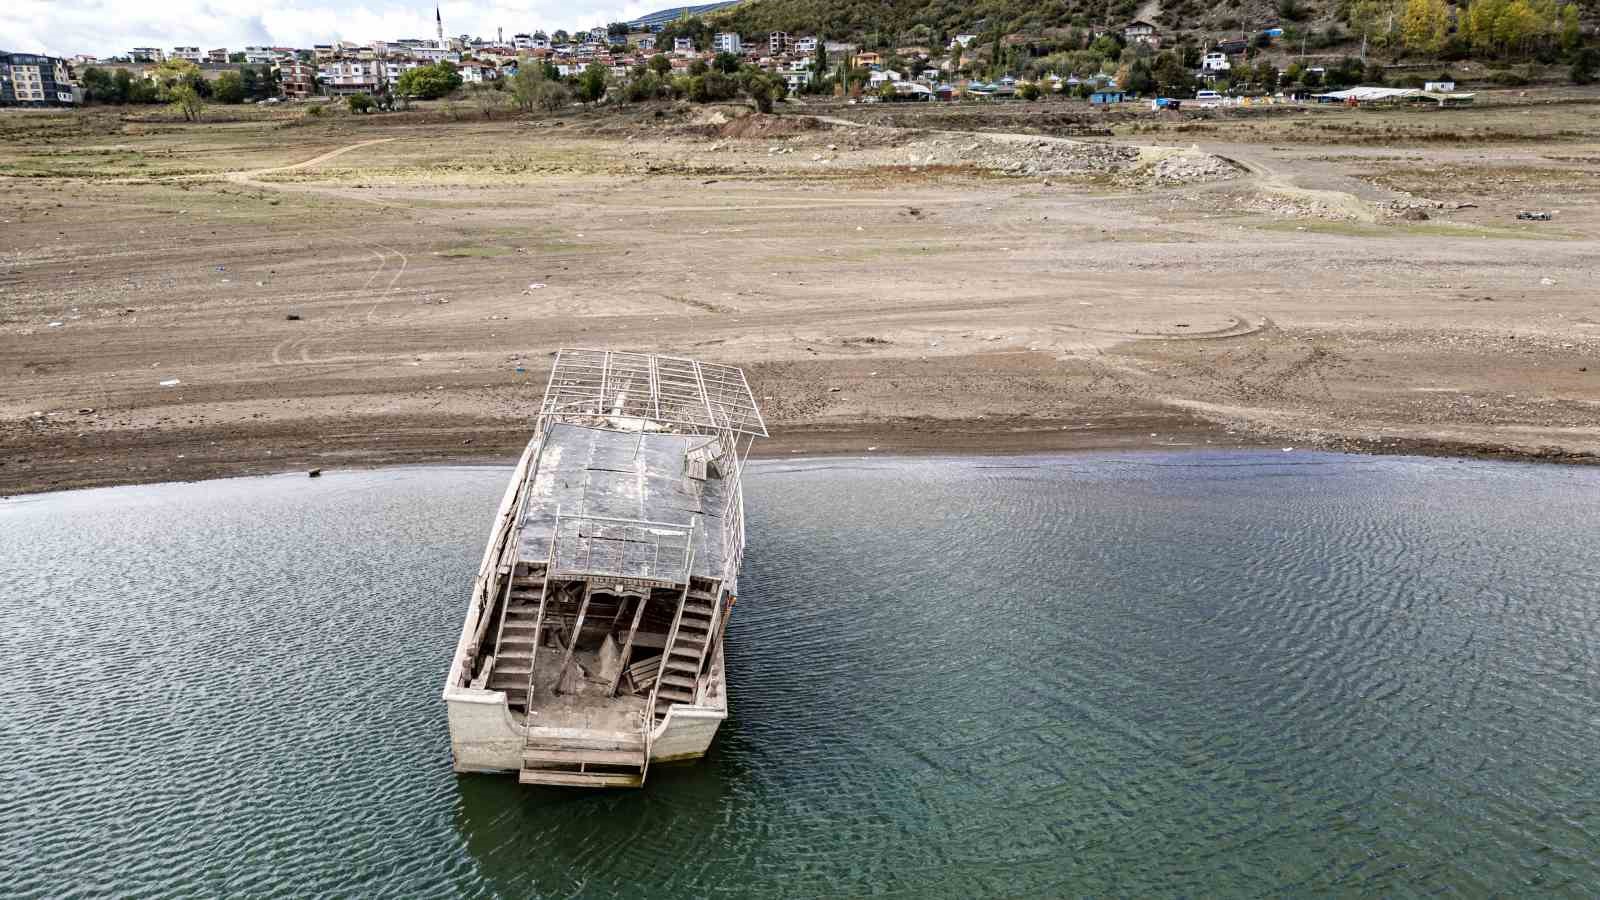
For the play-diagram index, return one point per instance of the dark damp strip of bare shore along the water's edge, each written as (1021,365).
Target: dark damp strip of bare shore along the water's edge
(198,457)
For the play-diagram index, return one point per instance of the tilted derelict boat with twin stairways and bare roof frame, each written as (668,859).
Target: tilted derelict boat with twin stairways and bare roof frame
(594,637)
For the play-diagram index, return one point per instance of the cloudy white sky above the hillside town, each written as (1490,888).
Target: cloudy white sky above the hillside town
(102,28)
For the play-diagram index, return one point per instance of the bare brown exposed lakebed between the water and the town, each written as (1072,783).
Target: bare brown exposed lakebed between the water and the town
(359,292)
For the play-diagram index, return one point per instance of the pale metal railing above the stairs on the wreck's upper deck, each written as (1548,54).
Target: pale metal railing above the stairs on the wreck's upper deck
(622,548)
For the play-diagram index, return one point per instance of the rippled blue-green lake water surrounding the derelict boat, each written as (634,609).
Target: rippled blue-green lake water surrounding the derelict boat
(1116,675)
